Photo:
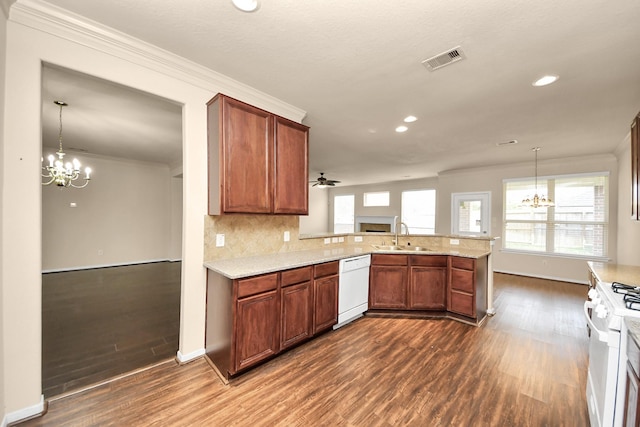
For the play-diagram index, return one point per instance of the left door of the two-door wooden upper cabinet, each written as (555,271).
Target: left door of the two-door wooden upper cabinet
(247,151)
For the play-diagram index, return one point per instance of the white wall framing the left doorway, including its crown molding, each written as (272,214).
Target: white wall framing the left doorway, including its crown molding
(36,34)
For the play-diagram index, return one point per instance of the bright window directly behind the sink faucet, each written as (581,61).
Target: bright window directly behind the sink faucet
(419,211)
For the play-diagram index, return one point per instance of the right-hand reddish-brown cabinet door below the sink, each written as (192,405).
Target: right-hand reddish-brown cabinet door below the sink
(427,288)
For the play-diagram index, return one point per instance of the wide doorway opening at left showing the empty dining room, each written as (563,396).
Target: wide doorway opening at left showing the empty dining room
(112,251)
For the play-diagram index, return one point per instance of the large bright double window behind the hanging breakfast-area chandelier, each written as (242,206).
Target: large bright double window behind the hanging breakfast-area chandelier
(577,225)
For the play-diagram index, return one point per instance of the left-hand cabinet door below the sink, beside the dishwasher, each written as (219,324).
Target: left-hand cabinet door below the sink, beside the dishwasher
(388,286)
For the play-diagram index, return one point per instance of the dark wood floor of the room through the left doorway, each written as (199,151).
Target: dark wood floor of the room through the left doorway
(100,323)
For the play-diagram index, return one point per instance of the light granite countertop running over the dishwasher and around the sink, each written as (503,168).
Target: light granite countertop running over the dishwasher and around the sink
(237,268)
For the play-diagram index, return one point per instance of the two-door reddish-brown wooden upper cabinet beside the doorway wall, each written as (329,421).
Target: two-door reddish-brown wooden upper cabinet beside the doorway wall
(258,162)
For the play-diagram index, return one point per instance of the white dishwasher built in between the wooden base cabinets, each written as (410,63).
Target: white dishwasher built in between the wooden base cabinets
(353,293)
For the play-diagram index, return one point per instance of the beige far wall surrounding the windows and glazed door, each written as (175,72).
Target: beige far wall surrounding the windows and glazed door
(490,179)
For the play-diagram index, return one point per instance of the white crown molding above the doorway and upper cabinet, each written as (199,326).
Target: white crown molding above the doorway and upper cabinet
(45,17)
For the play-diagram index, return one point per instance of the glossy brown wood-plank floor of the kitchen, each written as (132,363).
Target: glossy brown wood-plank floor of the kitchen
(526,366)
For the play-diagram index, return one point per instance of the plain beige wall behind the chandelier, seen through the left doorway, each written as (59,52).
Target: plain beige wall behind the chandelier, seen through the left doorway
(122,217)
